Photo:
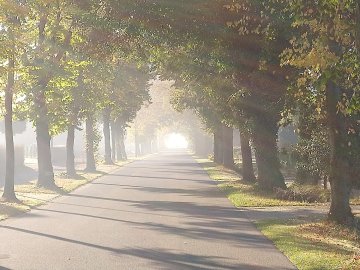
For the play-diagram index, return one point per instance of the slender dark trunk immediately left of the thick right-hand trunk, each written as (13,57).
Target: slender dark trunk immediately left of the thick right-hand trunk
(246,157)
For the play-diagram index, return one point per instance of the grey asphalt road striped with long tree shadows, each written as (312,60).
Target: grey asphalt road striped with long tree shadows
(160,213)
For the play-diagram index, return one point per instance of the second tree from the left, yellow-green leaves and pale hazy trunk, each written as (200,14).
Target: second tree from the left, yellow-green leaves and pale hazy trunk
(50,29)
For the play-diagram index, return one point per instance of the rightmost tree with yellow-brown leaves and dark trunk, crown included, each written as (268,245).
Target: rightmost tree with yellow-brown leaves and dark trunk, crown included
(326,55)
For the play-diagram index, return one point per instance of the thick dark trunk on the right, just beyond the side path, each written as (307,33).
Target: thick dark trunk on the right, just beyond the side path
(267,159)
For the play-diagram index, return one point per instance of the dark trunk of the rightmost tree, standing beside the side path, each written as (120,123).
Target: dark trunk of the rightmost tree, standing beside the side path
(340,168)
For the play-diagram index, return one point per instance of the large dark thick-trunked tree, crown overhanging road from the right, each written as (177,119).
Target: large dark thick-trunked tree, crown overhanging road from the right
(222,63)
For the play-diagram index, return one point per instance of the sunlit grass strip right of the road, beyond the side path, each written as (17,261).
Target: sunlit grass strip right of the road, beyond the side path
(241,193)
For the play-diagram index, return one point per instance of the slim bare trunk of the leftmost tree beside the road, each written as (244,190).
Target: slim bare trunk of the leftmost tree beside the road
(9,193)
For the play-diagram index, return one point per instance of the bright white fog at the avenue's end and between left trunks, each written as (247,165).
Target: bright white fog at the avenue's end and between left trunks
(156,127)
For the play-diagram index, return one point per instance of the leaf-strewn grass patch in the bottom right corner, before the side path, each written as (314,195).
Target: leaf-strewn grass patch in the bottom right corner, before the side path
(317,245)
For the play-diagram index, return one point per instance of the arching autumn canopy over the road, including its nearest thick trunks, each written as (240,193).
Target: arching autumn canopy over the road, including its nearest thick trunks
(250,65)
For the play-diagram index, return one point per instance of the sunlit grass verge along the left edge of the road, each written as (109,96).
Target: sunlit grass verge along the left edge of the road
(32,196)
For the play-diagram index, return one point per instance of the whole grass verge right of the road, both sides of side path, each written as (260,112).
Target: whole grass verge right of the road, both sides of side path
(309,244)
